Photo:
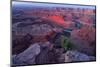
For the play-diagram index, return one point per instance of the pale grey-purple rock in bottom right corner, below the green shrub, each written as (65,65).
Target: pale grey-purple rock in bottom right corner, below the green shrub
(74,56)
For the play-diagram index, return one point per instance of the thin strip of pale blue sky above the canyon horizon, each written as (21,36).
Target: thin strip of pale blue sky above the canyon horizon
(14,3)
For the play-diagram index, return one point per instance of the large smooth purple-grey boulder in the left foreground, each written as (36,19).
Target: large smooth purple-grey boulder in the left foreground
(28,56)
